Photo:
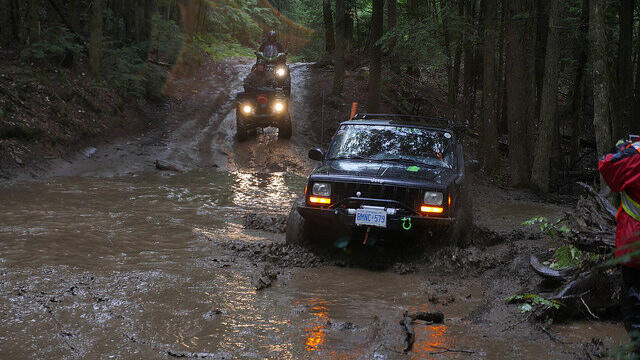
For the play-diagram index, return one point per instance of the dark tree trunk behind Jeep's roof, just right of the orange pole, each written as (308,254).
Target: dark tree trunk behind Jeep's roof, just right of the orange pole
(377,22)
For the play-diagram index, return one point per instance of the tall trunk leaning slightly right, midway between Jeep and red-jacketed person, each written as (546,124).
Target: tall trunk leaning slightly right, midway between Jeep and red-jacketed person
(541,163)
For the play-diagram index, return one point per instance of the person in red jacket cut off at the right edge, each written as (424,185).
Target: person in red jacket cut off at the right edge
(621,170)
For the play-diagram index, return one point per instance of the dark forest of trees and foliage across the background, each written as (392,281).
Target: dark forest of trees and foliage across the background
(545,87)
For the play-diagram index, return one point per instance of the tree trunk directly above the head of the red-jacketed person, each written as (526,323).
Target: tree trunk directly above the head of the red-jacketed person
(625,63)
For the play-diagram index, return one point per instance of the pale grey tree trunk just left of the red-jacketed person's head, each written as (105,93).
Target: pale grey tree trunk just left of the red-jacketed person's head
(602,115)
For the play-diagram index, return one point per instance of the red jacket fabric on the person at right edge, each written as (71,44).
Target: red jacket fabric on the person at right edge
(621,171)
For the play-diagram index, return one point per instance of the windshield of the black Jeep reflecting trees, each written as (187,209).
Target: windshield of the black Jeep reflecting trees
(402,144)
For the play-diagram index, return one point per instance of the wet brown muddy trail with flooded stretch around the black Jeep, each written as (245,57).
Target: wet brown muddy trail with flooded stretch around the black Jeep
(105,256)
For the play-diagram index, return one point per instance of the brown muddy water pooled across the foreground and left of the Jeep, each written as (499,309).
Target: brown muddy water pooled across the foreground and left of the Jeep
(96,267)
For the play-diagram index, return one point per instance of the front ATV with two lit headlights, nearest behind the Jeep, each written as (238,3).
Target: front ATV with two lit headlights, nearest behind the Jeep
(266,107)
